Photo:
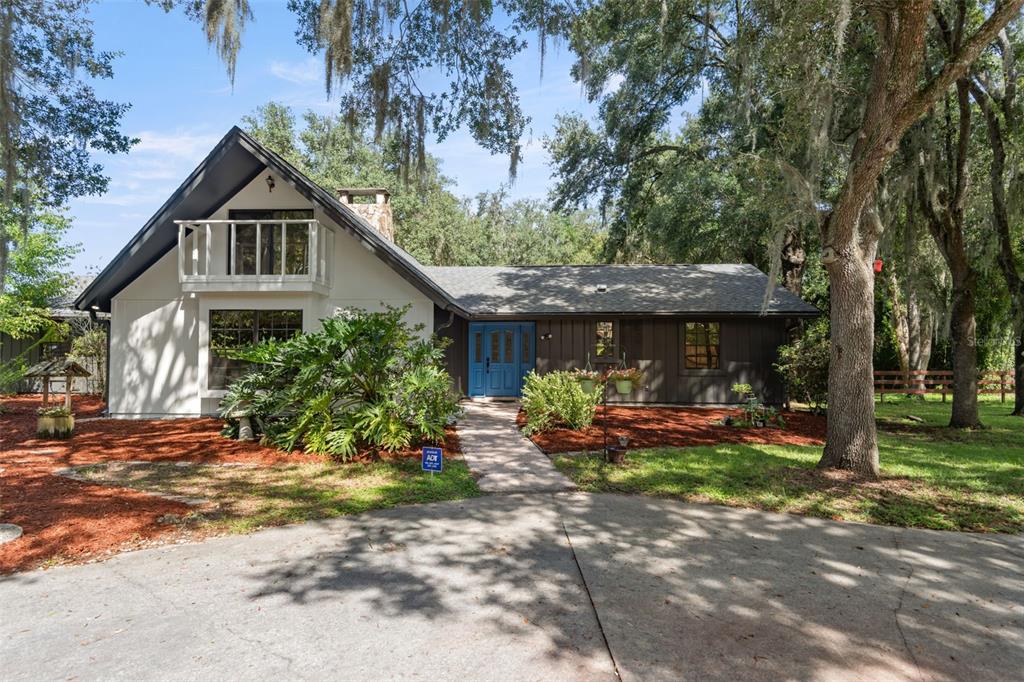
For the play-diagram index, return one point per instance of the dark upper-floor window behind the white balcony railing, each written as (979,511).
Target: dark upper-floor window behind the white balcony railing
(296,242)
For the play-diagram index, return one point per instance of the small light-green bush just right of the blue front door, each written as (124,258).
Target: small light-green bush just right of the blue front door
(556,400)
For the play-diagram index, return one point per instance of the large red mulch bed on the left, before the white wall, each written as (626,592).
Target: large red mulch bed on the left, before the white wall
(66,521)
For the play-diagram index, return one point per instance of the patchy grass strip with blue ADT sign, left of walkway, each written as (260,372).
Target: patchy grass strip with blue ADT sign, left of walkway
(240,499)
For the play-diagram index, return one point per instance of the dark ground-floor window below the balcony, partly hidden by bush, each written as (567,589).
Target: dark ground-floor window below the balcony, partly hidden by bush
(233,329)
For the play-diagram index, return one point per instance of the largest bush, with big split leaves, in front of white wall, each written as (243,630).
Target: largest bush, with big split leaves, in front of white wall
(365,381)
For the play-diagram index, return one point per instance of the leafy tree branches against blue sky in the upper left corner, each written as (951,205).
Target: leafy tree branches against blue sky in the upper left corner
(51,117)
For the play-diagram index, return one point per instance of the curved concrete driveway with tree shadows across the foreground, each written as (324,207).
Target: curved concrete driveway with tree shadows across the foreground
(494,589)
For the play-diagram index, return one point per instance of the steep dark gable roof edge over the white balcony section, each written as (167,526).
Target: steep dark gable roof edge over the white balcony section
(233,164)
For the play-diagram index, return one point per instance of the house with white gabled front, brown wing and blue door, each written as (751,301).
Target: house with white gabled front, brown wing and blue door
(248,248)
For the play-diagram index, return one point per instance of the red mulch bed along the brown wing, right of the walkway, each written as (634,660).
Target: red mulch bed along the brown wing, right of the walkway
(653,428)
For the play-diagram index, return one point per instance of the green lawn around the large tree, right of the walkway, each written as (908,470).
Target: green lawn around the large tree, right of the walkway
(932,477)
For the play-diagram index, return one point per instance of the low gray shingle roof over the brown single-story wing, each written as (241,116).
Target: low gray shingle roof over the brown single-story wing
(629,289)
